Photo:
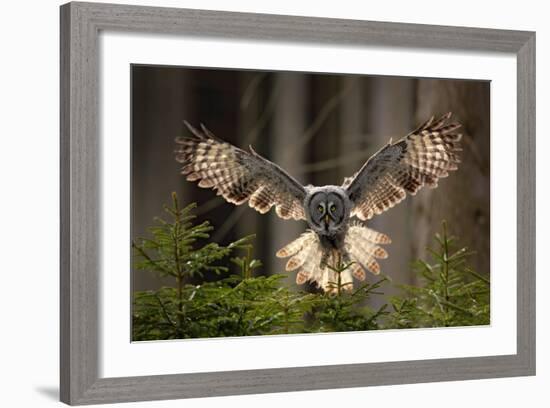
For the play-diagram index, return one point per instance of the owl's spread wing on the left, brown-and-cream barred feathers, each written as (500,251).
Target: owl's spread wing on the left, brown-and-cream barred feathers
(239,176)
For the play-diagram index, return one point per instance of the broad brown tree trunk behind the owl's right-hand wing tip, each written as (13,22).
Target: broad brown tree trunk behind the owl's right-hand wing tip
(463,198)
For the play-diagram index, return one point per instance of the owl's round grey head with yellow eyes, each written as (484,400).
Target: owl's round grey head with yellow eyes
(327,209)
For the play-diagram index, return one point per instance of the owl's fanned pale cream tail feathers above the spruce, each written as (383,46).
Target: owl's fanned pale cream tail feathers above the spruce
(318,265)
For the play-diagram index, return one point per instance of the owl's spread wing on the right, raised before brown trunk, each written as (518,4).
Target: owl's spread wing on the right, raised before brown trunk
(420,158)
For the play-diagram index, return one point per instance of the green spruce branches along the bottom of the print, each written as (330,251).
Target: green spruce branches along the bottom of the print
(240,301)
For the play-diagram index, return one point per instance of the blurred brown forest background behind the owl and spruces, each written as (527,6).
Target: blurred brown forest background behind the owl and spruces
(320,128)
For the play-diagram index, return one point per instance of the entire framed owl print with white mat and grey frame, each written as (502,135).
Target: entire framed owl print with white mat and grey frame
(294,198)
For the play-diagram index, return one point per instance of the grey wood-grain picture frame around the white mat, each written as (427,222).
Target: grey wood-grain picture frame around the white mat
(80,235)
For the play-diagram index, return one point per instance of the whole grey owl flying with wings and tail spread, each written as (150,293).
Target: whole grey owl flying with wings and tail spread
(336,215)
